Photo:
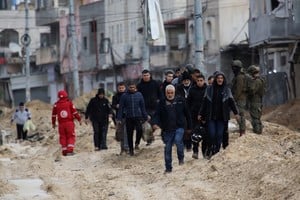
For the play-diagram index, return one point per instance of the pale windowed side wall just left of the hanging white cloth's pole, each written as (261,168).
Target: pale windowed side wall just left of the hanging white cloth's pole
(123,18)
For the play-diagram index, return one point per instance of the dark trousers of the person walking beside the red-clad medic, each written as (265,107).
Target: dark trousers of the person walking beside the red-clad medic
(100,133)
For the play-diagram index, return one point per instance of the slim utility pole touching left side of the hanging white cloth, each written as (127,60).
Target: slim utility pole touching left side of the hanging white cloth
(146,50)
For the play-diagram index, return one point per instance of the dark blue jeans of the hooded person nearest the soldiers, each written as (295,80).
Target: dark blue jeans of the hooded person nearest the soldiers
(215,135)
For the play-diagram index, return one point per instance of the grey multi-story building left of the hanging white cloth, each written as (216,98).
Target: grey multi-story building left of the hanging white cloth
(110,41)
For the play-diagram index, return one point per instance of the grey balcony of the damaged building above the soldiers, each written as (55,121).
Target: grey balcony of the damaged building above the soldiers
(268,29)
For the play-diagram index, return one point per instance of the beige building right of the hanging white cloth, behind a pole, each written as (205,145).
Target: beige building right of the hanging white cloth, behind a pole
(224,34)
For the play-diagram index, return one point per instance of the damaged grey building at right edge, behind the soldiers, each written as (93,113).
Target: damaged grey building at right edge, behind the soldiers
(275,31)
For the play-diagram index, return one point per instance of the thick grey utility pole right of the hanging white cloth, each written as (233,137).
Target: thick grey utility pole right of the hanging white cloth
(199,36)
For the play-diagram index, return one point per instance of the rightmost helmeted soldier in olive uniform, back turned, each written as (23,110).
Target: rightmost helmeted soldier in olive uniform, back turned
(256,90)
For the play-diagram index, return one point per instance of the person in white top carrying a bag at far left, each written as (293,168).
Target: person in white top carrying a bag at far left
(20,116)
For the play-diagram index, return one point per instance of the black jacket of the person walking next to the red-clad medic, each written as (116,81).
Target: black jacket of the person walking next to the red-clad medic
(98,110)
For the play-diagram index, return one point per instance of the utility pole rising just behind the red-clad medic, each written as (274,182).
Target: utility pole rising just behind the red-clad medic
(74,51)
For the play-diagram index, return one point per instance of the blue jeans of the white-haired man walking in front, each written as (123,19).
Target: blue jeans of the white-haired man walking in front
(170,138)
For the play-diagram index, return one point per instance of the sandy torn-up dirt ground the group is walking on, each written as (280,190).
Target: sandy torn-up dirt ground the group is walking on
(254,166)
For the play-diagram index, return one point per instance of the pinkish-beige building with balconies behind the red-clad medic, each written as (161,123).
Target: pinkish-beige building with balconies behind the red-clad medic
(55,54)
